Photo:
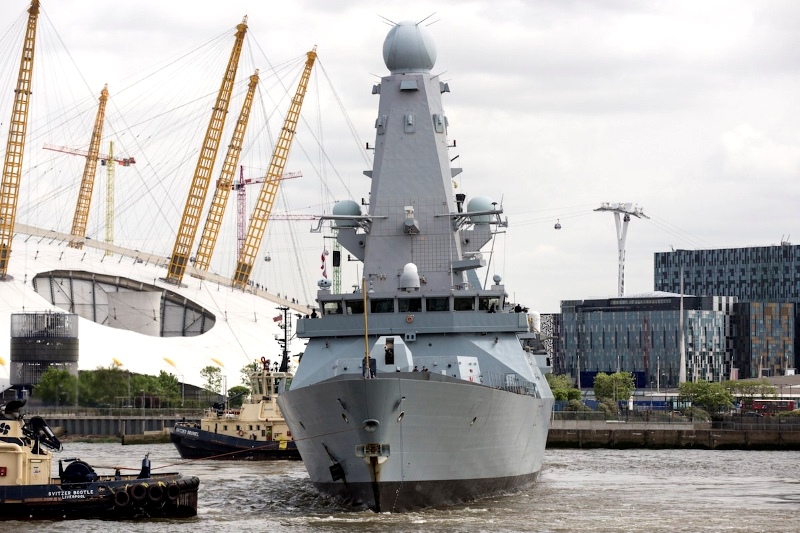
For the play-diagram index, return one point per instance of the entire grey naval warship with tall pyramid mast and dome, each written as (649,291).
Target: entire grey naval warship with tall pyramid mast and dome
(415,390)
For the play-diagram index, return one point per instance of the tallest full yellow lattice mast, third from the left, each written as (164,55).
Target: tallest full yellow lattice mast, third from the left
(179,259)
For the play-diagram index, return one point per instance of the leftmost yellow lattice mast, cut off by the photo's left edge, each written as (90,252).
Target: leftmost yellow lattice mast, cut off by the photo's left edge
(15,147)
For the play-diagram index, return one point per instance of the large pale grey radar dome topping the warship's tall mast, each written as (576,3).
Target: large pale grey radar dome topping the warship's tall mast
(409,47)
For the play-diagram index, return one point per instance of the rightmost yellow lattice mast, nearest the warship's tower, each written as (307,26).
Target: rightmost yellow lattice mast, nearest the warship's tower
(269,189)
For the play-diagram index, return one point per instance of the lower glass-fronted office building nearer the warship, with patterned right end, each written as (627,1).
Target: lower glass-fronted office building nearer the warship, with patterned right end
(641,334)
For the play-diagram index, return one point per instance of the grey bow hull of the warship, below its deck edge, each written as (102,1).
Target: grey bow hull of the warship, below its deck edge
(405,441)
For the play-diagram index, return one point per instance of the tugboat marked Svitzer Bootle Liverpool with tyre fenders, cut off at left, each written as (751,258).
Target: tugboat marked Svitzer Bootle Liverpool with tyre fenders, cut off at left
(27,490)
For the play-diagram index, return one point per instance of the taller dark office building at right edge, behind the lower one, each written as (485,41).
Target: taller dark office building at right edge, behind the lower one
(766,282)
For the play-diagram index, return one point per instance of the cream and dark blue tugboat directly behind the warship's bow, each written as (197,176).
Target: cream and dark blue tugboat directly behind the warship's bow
(257,430)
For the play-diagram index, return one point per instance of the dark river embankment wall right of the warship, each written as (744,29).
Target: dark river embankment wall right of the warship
(622,435)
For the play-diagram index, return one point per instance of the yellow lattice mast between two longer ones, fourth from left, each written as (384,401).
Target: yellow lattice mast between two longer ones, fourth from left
(217,210)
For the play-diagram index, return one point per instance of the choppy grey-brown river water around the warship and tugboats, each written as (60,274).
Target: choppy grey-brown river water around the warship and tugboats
(611,491)
